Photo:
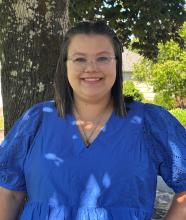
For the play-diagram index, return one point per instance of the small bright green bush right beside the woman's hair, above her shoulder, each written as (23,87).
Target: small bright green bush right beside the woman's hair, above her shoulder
(130,90)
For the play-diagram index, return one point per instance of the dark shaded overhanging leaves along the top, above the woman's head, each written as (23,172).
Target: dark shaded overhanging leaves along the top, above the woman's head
(149,21)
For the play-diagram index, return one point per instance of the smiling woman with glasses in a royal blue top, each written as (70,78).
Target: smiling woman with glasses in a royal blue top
(90,154)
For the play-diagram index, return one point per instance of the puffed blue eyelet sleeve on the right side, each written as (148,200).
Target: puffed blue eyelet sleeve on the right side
(167,141)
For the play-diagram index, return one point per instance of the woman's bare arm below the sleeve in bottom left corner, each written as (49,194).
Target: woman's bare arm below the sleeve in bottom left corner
(10,204)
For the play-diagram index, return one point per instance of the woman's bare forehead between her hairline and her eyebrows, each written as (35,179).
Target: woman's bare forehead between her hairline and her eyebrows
(90,43)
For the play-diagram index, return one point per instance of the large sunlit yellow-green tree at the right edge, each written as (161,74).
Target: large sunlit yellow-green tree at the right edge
(167,75)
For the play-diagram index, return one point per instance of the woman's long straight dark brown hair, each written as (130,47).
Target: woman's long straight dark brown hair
(63,90)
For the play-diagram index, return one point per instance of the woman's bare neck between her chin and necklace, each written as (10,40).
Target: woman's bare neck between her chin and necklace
(90,110)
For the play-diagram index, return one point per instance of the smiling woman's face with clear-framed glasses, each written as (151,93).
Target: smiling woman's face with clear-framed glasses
(91,66)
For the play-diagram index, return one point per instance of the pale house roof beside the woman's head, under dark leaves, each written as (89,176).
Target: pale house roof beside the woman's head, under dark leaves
(129,58)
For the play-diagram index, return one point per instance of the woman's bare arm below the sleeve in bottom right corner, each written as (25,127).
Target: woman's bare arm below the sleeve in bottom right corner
(177,209)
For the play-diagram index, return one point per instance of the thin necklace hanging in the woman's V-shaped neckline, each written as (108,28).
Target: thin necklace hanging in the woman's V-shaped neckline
(87,138)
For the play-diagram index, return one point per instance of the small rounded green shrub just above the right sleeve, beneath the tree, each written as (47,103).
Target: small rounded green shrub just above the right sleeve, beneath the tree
(164,100)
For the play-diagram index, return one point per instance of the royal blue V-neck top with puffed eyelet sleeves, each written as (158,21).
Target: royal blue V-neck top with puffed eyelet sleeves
(45,156)
